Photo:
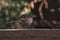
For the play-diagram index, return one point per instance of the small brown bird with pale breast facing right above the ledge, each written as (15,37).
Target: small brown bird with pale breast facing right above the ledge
(24,20)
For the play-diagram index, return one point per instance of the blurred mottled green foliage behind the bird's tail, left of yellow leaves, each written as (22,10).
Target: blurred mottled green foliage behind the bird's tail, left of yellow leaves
(10,11)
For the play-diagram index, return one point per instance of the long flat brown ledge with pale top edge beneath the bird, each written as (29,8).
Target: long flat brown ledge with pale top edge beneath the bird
(29,34)
